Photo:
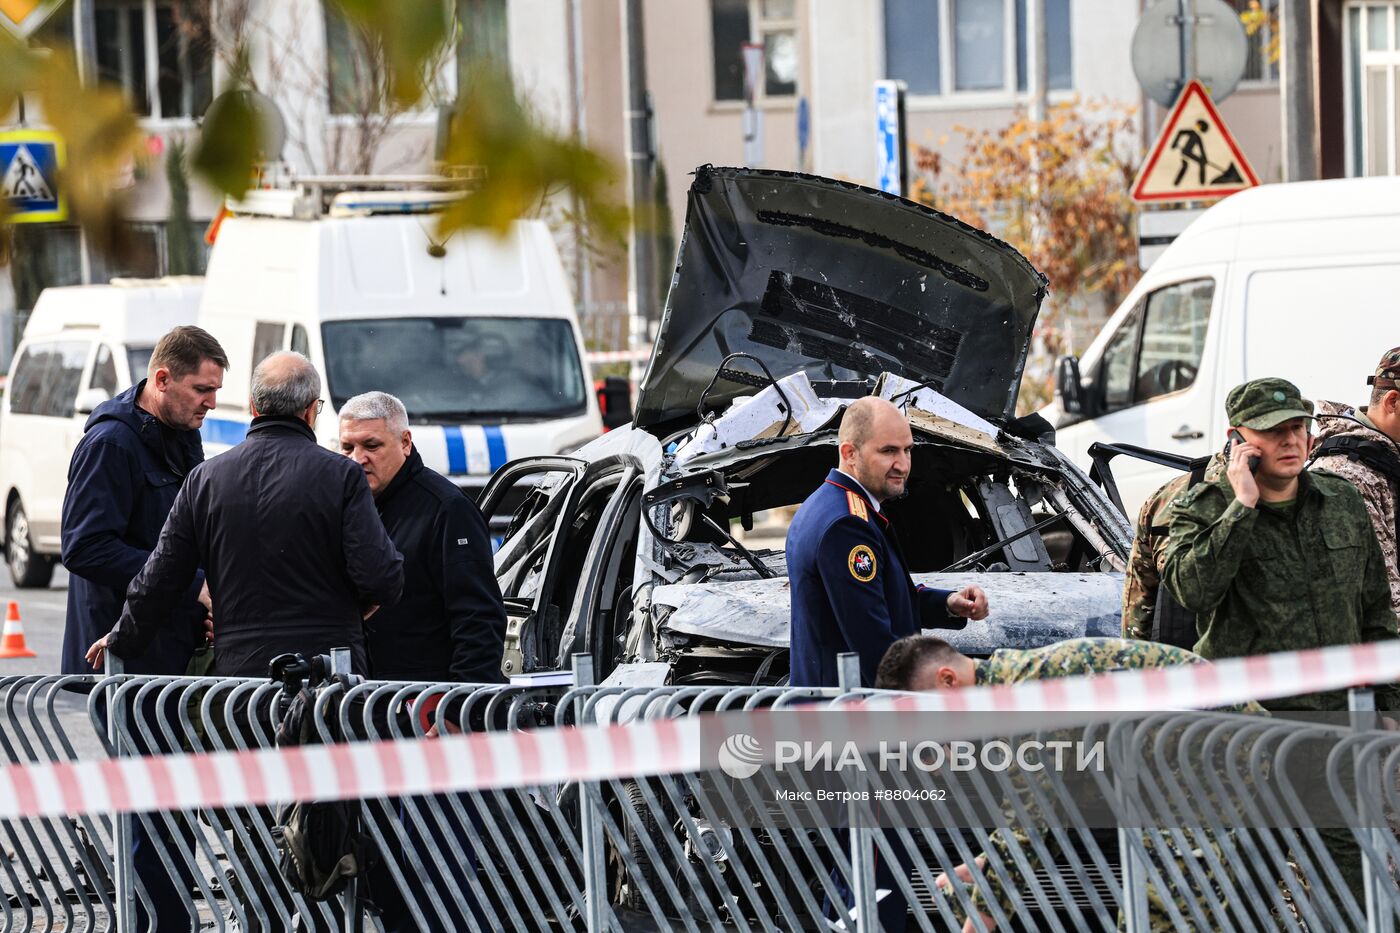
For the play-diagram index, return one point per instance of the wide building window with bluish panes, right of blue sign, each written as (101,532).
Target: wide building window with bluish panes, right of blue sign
(978,53)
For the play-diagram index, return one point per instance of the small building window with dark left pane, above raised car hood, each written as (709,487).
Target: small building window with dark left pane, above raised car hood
(768,23)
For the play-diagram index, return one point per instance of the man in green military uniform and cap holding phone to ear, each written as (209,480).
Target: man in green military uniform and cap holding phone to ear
(1275,558)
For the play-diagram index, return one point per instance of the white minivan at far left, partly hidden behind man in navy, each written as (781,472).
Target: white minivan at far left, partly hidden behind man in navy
(82,347)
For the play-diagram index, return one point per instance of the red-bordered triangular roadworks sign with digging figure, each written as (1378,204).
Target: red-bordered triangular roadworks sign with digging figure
(1195,158)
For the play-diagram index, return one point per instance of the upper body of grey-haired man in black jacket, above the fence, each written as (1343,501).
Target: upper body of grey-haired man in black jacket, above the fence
(450,624)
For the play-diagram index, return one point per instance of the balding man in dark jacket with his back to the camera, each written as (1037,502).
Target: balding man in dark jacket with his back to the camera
(286,532)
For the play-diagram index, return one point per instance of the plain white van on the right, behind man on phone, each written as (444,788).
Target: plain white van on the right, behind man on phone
(1298,281)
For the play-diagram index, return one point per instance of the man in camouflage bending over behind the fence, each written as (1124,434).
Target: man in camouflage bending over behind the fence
(926,663)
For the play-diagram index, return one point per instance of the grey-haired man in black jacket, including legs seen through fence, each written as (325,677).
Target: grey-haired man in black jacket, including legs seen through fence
(449,626)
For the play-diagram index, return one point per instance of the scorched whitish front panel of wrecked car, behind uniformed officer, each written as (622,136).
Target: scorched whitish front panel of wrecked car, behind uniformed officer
(1027,610)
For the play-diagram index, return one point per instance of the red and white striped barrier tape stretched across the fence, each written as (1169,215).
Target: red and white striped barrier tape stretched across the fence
(598,753)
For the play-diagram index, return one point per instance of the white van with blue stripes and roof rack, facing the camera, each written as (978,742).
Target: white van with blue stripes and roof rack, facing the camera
(478,336)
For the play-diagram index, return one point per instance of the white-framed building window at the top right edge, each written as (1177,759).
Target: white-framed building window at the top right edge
(1374,89)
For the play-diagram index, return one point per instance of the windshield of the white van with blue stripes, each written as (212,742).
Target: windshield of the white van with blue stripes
(460,369)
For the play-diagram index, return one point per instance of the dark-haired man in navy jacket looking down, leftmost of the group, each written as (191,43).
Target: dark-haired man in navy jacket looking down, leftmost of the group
(136,452)
